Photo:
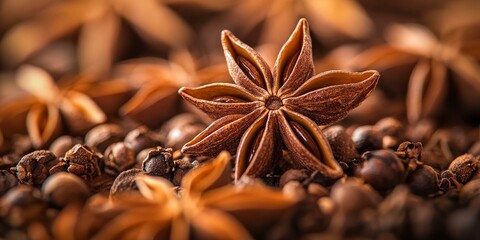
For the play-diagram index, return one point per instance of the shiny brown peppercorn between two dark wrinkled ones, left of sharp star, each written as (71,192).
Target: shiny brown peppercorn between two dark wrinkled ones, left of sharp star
(118,158)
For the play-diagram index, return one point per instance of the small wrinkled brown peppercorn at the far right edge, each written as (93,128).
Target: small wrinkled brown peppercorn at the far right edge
(464,167)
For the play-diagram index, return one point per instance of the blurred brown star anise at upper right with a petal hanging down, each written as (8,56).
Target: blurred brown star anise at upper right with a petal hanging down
(432,60)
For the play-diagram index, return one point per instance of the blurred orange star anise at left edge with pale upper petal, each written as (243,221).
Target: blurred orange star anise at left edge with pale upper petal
(44,112)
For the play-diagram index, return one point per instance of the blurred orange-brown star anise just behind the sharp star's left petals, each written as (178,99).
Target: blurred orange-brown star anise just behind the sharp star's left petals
(158,81)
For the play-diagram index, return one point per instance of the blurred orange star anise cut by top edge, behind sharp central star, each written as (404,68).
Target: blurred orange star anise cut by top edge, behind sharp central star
(277,17)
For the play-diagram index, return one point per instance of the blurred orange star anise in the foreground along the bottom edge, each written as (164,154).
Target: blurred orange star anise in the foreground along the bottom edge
(207,207)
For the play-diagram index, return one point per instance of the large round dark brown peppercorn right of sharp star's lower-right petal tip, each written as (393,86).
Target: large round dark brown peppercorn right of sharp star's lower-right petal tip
(382,169)
